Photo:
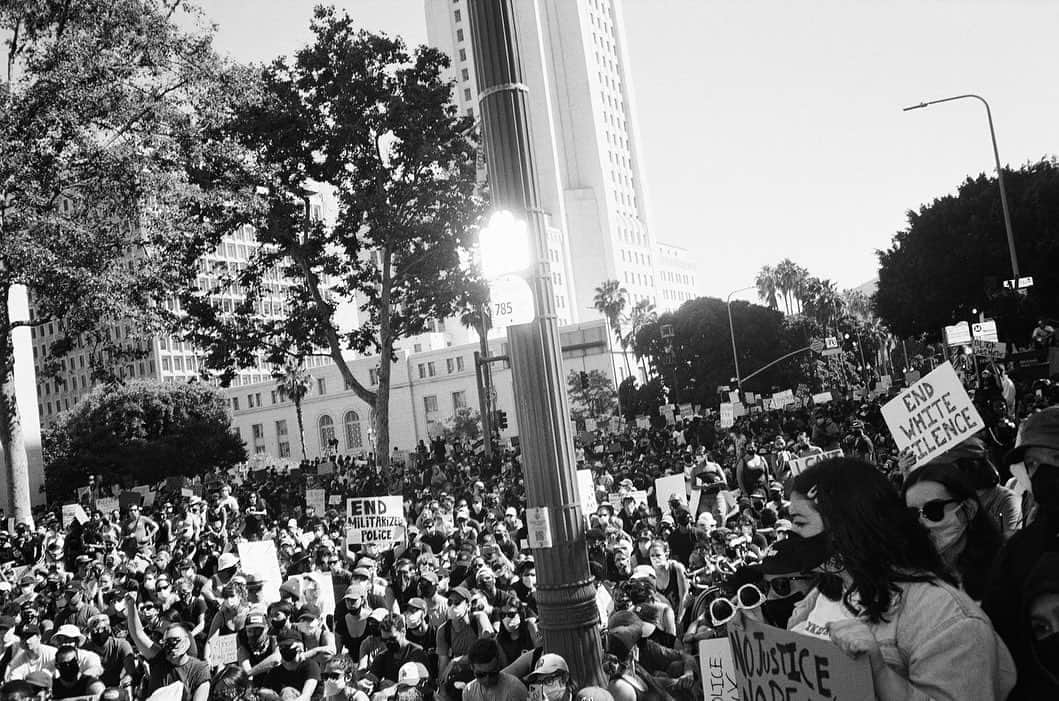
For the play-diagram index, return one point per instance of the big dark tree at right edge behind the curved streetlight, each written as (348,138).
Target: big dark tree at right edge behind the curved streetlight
(953,258)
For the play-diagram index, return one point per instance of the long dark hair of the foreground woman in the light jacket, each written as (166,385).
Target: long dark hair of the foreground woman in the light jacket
(879,542)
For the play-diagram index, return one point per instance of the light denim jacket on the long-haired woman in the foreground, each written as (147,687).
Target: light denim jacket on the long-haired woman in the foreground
(940,640)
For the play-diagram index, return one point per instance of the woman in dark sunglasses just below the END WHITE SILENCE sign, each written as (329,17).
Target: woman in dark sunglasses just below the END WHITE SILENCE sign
(946,502)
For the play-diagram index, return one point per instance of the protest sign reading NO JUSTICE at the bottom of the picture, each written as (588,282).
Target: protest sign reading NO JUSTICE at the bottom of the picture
(774,663)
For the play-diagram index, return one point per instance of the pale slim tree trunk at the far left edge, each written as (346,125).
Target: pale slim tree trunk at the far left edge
(12,441)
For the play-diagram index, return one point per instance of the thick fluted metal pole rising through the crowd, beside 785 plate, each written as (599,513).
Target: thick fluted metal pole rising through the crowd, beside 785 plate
(566,595)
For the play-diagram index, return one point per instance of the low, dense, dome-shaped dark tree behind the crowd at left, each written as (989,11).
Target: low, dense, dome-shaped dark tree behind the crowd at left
(140,434)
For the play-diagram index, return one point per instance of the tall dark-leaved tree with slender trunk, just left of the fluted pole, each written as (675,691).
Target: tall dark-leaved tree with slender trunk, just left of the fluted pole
(360,114)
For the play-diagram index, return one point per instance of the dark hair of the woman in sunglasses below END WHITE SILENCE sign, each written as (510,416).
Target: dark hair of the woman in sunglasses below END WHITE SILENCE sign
(984,540)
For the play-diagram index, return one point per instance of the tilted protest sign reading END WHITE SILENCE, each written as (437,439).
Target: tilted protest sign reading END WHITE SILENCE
(932,416)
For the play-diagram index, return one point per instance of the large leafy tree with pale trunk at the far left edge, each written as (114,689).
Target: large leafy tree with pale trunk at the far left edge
(96,110)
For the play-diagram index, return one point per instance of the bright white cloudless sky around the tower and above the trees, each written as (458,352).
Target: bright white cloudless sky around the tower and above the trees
(774,129)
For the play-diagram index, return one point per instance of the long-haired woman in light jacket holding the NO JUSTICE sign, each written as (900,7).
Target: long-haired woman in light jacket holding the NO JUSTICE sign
(885,594)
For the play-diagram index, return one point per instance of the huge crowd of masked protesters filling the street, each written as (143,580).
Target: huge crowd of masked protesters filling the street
(946,578)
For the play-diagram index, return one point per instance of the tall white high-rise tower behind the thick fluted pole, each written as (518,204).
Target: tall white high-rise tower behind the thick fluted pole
(586,146)
